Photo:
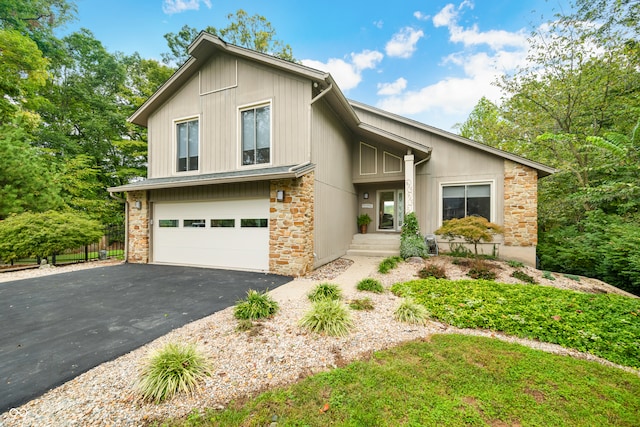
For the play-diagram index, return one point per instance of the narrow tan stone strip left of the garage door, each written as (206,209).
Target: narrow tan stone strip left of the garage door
(138,228)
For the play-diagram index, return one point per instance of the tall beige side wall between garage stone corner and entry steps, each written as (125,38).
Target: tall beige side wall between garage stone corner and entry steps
(335,197)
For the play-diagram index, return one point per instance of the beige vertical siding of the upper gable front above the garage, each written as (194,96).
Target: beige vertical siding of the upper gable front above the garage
(215,94)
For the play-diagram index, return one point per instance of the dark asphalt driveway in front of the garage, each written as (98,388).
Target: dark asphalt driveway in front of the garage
(56,327)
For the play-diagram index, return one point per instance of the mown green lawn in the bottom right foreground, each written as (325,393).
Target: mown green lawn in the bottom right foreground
(451,380)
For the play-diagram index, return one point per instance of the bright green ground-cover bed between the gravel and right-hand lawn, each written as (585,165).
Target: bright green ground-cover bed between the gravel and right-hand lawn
(606,325)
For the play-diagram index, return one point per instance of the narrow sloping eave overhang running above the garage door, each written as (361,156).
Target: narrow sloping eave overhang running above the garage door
(249,175)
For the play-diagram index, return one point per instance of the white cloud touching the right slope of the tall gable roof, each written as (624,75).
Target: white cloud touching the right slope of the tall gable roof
(348,74)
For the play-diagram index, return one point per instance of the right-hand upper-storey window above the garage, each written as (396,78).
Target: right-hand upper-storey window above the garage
(256,135)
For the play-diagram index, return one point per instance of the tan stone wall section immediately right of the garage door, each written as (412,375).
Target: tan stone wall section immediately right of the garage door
(291,226)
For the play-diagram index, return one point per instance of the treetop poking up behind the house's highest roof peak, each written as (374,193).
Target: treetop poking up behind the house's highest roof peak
(253,32)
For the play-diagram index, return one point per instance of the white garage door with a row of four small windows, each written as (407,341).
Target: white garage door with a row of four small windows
(226,234)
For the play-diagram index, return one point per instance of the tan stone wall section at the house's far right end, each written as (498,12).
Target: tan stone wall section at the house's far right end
(520,205)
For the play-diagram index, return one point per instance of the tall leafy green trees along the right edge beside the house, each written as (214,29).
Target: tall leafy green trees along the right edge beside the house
(576,107)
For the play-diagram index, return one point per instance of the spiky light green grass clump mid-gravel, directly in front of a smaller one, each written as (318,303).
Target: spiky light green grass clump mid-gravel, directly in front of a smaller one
(328,316)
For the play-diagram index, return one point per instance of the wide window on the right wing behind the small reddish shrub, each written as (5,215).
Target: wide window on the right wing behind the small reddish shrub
(459,201)
